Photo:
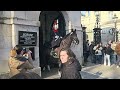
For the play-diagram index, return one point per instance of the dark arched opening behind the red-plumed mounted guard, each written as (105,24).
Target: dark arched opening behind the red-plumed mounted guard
(46,19)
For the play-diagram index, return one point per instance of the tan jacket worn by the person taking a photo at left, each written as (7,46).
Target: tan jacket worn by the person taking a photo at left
(18,64)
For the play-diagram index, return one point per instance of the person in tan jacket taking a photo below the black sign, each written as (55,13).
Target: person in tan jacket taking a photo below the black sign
(18,63)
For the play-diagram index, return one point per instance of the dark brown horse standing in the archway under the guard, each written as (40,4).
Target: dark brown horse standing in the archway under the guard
(66,42)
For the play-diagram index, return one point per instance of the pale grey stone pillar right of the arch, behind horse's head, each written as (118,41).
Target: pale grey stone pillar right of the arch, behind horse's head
(75,19)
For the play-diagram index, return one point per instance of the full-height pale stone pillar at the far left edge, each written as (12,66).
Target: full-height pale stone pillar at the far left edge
(5,40)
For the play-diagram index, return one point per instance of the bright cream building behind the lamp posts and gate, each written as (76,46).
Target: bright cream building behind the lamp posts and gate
(106,22)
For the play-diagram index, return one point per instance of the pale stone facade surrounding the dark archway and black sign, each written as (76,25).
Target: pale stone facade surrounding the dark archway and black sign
(11,22)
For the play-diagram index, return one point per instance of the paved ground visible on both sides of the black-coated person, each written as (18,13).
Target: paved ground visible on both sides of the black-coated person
(90,71)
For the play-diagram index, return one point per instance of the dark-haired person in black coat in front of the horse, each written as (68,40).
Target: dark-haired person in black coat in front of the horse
(70,66)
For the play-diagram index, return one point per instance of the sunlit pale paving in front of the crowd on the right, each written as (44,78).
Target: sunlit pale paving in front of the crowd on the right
(109,72)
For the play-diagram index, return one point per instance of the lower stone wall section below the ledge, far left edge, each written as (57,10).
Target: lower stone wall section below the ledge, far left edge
(5,45)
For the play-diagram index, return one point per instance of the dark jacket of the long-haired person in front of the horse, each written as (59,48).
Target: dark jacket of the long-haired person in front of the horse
(71,70)
